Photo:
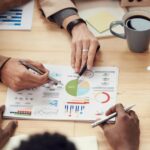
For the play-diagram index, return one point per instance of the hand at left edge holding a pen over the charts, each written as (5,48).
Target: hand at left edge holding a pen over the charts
(17,77)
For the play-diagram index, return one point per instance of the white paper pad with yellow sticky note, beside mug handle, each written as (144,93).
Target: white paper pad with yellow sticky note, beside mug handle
(109,8)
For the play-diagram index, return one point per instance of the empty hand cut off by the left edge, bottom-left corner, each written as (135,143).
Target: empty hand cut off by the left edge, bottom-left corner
(8,131)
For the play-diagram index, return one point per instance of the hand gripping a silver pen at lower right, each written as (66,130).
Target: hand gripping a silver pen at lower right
(125,133)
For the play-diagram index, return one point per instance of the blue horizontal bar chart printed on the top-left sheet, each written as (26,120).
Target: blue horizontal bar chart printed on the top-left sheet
(12,17)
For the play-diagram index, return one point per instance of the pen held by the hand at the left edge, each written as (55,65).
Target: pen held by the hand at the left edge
(29,66)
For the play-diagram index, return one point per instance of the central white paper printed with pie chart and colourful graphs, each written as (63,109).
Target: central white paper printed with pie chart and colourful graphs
(85,99)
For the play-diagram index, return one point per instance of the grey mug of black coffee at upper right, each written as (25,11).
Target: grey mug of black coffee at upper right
(136,30)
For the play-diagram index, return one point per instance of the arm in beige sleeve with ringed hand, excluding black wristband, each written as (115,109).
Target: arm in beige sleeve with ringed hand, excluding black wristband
(84,43)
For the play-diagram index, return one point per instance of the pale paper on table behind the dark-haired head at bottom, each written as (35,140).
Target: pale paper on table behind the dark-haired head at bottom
(82,143)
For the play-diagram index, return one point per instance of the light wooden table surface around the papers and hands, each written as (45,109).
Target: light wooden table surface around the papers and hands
(49,44)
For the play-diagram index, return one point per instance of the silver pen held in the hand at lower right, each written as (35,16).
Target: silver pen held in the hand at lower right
(109,117)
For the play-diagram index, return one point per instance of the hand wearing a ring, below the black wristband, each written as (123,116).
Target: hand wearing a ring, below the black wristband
(84,46)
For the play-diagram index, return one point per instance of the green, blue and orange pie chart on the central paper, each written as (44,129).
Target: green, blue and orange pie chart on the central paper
(74,88)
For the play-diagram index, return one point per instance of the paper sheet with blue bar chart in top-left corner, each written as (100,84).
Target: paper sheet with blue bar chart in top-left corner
(18,18)
